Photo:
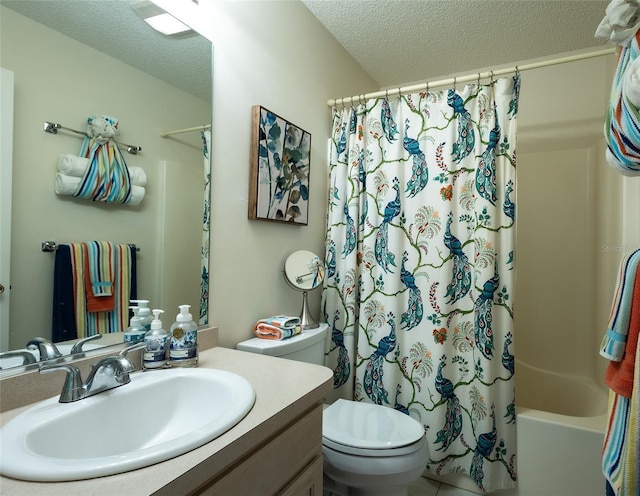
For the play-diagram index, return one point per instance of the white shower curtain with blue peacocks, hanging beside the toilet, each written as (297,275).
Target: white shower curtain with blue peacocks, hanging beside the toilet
(420,268)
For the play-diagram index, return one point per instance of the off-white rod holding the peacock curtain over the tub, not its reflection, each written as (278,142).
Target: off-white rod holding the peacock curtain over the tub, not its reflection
(470,77)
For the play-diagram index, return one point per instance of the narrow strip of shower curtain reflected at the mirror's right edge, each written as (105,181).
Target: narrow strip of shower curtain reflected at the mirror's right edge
(206,224)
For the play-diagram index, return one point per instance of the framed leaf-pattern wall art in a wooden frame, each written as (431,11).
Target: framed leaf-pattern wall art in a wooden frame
(280,165)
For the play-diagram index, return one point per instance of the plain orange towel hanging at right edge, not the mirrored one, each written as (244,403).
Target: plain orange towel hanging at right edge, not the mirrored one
(619,375)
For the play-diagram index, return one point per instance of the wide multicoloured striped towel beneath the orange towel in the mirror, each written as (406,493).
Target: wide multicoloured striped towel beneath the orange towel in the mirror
(102,322)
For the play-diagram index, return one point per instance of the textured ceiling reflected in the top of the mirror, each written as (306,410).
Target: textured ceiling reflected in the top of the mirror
(112,27)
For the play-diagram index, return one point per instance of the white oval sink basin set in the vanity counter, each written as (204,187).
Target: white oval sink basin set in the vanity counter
(158,415)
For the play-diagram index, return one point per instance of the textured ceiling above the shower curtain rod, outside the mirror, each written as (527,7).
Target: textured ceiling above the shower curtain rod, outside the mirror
(399,42)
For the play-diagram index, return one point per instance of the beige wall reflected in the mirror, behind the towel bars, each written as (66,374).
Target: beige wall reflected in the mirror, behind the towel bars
(58,79)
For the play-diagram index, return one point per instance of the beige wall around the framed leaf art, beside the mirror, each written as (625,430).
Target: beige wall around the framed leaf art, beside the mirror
(277,55)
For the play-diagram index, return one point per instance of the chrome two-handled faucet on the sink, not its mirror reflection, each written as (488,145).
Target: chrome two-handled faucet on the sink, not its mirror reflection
(110,372)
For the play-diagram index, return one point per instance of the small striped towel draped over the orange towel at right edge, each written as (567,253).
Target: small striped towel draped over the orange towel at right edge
(613,343)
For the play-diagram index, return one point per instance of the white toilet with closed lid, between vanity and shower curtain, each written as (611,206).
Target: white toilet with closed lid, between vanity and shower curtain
(368,449)
